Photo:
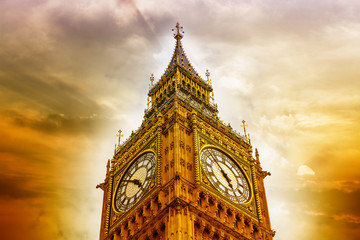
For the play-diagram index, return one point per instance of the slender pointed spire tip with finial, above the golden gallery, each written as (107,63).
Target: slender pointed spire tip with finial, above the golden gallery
(179,58)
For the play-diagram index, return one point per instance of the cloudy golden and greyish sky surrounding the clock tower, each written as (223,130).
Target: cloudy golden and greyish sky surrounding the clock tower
(72,73)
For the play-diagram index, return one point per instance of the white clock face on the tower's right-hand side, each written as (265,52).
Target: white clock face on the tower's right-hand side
(225,175)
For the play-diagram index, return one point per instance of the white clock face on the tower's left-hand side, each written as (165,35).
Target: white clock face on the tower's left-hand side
(135,181)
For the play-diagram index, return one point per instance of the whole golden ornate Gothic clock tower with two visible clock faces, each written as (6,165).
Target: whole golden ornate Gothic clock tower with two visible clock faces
(184,174)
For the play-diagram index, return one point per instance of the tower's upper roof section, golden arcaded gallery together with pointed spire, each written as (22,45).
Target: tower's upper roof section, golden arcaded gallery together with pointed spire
(180,81)
